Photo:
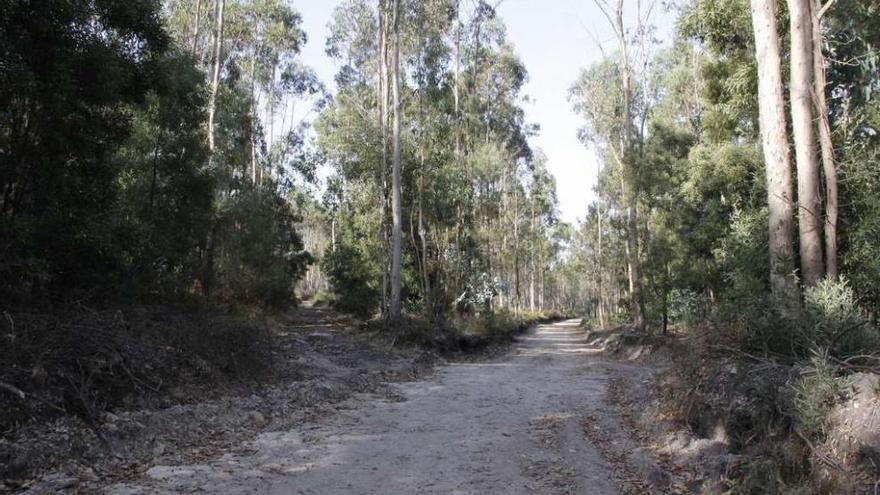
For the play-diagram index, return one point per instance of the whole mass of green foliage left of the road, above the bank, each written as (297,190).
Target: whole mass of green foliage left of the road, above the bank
(107,191)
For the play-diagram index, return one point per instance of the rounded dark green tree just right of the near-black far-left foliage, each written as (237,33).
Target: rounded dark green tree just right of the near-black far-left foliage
(165,191)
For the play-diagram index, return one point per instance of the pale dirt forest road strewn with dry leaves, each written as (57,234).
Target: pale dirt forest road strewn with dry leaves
(510,425)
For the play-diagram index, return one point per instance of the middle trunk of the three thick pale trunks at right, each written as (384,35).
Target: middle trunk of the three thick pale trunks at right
(804,131)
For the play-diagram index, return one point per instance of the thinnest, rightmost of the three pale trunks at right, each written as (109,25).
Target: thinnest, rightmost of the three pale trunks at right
(829,166)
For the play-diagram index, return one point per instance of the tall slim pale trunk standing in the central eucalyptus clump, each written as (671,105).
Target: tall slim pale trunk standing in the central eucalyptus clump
(396,232)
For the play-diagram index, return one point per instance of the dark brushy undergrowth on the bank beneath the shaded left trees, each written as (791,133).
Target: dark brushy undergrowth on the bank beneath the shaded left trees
(84,362)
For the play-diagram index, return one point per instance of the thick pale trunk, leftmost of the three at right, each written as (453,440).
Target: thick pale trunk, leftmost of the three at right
(777,158)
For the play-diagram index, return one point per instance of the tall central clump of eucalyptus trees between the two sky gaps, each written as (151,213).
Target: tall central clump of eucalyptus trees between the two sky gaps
(464,155)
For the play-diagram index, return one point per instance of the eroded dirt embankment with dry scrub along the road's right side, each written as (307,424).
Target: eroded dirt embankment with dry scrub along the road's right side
(719,420)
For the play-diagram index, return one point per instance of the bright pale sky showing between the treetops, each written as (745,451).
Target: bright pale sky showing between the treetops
(555,39)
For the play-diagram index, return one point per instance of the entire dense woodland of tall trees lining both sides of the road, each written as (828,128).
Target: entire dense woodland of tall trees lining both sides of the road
(171,153)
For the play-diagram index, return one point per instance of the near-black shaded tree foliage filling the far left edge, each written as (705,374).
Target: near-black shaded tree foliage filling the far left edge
(68,88)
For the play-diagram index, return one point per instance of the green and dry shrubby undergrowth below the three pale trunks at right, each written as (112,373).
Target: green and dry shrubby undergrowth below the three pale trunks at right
(771,379)
